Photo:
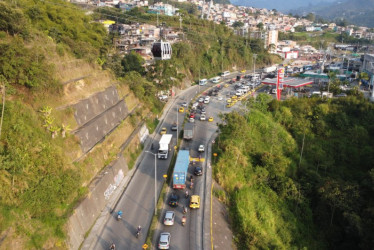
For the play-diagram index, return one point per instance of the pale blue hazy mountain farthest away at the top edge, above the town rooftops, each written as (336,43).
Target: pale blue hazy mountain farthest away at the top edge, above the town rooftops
(282,6)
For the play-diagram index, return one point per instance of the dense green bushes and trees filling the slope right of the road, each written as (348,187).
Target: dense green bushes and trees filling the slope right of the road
(299,174)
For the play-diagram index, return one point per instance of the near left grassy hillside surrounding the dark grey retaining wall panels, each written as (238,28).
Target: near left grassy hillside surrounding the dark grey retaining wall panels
(48,54)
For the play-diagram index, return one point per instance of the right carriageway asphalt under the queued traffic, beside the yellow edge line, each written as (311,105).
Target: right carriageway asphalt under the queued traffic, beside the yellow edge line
(190,236)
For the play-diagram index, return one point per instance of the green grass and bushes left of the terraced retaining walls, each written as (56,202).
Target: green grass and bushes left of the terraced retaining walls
(40,186)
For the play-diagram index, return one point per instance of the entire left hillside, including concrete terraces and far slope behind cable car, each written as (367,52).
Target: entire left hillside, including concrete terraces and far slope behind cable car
(52,57)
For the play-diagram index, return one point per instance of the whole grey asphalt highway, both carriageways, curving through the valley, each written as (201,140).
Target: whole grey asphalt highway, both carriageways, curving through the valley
(137,202)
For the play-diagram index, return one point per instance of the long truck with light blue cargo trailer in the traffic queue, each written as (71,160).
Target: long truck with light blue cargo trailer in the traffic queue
(180,169)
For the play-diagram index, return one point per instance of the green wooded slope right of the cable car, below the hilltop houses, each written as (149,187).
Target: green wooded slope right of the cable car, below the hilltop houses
(206,49)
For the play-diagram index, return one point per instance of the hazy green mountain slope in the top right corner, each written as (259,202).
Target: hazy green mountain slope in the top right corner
(358,12)
